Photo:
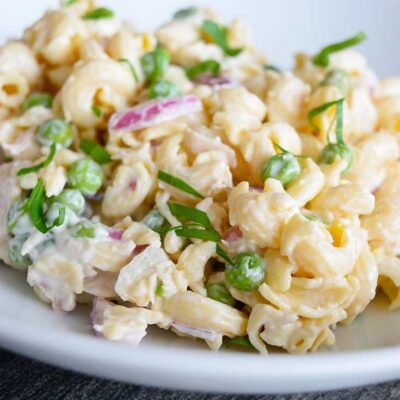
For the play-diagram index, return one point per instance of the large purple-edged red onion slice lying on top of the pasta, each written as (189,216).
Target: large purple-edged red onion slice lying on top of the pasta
(154,112)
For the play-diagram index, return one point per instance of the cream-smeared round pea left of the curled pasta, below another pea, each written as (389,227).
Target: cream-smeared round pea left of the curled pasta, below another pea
(86,175)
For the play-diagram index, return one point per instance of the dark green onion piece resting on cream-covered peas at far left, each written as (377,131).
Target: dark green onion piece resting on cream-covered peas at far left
(34,208)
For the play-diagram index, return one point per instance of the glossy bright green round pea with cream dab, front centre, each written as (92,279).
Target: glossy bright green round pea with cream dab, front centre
(247,272)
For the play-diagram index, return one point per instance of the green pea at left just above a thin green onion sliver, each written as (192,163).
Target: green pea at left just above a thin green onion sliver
(56,131)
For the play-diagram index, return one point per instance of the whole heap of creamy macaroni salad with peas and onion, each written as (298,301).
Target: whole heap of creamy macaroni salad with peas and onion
(177,179)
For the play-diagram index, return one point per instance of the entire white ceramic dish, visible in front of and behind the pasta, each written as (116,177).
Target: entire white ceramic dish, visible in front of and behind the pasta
(366,352)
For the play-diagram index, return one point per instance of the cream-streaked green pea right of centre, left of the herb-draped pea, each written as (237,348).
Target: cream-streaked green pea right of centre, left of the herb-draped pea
(284,167)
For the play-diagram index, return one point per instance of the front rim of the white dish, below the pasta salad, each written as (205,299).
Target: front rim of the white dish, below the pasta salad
(365,353)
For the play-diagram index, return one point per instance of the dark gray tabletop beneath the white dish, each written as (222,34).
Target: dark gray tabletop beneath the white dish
(24,379)
